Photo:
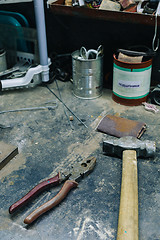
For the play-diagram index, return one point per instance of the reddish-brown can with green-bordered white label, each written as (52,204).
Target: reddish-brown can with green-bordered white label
(131,81)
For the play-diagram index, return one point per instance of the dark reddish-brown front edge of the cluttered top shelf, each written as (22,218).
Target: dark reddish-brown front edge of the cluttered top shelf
(115,16)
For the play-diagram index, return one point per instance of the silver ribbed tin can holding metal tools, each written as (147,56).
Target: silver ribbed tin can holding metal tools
(87,76)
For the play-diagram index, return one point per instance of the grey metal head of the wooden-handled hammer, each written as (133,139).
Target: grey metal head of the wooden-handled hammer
(115,146)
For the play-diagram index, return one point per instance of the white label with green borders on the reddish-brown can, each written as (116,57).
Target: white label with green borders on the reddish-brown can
(130,85)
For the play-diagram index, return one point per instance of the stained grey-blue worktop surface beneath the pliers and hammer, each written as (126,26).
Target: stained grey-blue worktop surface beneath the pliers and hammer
(48,142)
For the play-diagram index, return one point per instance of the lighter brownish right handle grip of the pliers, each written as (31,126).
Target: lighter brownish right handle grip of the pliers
(68,185)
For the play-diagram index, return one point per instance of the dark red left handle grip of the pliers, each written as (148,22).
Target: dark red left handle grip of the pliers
(34,192)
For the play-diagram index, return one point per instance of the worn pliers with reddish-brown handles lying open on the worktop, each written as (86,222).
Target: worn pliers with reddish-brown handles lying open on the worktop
(71,178)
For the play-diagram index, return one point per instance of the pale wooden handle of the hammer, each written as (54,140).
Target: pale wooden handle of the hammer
(128,211)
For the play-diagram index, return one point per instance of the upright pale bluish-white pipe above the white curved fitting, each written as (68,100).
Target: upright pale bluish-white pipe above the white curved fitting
(41,33)
